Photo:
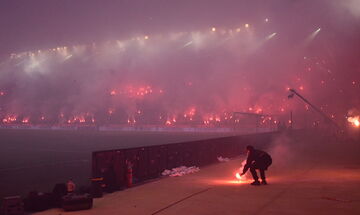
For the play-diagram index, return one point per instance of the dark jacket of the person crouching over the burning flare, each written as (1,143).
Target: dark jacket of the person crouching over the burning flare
(258,159)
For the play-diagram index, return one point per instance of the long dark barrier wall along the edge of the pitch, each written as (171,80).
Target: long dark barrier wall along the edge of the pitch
(149,162)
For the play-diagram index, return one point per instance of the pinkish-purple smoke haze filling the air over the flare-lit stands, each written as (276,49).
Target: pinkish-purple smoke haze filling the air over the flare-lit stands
(196,69)
